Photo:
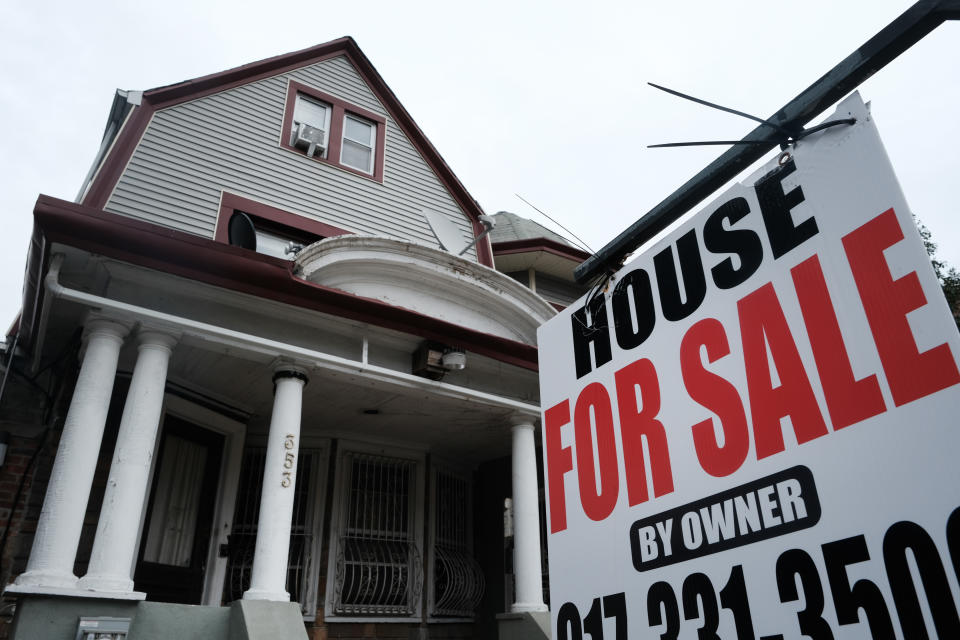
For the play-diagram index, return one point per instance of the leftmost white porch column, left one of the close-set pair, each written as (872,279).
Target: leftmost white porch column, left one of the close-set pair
(50,567)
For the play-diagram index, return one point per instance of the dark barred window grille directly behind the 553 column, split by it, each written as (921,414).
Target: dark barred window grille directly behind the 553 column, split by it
(305,532)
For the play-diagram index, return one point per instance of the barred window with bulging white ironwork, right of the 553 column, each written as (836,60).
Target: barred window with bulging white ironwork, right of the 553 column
(378,564)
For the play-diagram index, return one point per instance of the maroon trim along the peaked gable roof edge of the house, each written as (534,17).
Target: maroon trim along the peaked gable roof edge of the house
(123,143)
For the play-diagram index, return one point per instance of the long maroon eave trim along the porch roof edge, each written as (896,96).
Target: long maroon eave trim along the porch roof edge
(229,267)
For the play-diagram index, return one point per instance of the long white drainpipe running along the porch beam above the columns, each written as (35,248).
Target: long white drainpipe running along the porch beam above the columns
(252,344)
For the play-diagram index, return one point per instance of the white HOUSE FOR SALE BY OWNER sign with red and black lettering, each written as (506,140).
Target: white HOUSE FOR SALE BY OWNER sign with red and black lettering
(752,431)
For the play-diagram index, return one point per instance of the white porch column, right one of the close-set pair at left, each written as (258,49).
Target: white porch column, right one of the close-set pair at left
(115,546)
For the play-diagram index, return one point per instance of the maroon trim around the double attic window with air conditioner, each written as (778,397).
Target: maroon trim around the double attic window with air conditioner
(335,136)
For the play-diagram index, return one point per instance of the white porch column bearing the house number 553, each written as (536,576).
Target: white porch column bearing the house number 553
(269,574)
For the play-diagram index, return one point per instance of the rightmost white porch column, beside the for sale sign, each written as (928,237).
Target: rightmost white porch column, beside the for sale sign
(526,520)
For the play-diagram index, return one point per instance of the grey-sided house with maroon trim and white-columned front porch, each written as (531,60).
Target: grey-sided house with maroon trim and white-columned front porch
(272,363)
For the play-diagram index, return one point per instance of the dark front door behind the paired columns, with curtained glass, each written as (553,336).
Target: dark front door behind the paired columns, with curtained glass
(176,534)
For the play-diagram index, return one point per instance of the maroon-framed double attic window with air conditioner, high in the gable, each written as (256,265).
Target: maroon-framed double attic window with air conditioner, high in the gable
(333,131)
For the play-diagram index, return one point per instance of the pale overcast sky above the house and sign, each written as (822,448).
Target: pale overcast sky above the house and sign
(548,99)
